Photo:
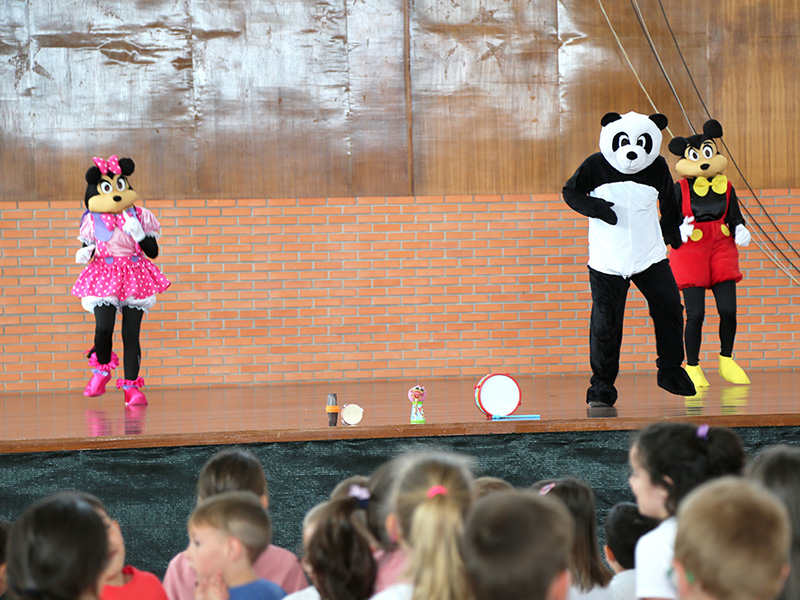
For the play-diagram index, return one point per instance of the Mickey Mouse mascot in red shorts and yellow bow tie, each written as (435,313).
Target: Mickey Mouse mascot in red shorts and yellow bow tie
(708,259)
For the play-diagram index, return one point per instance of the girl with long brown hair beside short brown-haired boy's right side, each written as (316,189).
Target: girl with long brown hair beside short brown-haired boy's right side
(590,576)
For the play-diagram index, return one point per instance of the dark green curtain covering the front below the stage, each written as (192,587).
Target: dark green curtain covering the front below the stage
(151,491)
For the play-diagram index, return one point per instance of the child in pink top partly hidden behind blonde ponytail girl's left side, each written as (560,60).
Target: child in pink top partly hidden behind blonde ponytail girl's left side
(391,559)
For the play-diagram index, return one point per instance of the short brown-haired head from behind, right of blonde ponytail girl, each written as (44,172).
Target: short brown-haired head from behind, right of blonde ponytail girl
(516,547)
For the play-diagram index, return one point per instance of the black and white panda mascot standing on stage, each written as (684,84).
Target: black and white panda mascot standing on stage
(621,189)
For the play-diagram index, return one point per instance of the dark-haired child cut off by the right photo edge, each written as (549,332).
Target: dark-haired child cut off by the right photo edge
(778,469)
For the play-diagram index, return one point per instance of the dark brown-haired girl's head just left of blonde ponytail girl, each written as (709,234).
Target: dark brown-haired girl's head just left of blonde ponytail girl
(338,552)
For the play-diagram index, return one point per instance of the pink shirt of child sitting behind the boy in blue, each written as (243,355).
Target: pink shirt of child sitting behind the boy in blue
(275,564)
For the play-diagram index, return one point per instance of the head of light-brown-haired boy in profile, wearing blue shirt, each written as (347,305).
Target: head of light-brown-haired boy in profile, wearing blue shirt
(228,528)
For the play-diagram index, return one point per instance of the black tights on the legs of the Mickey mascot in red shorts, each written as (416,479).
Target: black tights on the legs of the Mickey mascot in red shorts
(695,300)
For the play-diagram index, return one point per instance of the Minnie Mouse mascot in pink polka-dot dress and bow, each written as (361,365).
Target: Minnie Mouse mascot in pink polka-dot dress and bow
(118,241)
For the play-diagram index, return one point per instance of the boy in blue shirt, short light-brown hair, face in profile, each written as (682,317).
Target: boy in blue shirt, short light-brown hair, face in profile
(227,534)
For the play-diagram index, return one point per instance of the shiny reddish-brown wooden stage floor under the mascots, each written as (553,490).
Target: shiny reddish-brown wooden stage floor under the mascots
(290,412)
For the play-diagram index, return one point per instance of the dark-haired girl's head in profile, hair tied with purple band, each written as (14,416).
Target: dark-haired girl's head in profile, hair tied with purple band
(668,460)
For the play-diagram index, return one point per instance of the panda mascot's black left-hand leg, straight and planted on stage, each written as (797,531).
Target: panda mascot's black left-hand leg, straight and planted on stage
(609,293)
